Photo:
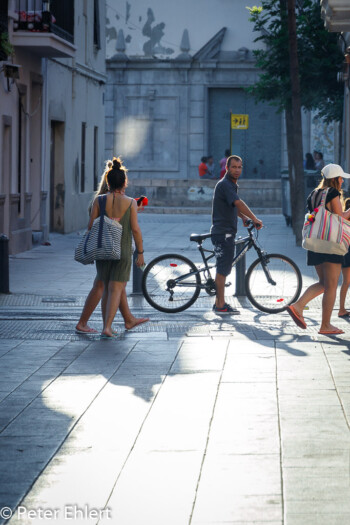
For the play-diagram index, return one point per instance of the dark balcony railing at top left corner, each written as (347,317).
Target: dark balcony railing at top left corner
(40,16)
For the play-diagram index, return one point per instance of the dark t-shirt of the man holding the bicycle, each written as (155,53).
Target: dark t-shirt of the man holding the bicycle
(224,212)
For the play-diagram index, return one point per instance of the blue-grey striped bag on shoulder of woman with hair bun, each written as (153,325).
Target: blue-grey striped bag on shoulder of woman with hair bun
(103,241)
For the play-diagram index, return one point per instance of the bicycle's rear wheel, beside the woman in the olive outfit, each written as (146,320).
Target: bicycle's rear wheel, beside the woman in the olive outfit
(171,283)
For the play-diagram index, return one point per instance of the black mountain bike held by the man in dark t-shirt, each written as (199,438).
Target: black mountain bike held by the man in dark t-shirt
(172,283)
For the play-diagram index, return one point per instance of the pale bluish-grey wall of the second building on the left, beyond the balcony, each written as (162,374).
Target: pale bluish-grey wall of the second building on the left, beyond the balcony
(75,95)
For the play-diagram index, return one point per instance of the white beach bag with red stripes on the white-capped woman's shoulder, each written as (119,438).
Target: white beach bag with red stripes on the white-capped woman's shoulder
(325,232)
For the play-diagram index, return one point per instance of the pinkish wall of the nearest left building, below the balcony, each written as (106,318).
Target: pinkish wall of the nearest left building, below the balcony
(30,72)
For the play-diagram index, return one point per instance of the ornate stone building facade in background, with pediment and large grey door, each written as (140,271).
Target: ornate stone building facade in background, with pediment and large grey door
(174,78)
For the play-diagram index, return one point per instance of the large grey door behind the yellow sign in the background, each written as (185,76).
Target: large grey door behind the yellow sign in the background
(259,145)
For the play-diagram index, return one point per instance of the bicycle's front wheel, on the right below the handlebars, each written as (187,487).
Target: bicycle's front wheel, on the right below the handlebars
(273,282)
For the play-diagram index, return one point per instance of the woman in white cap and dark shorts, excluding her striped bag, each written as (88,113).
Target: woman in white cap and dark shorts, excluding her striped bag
(327,266)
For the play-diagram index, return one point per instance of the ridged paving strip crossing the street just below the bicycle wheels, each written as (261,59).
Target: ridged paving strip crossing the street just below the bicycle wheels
(40,325)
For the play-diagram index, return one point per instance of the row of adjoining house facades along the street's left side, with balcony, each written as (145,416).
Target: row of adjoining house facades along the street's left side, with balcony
(52,116)
